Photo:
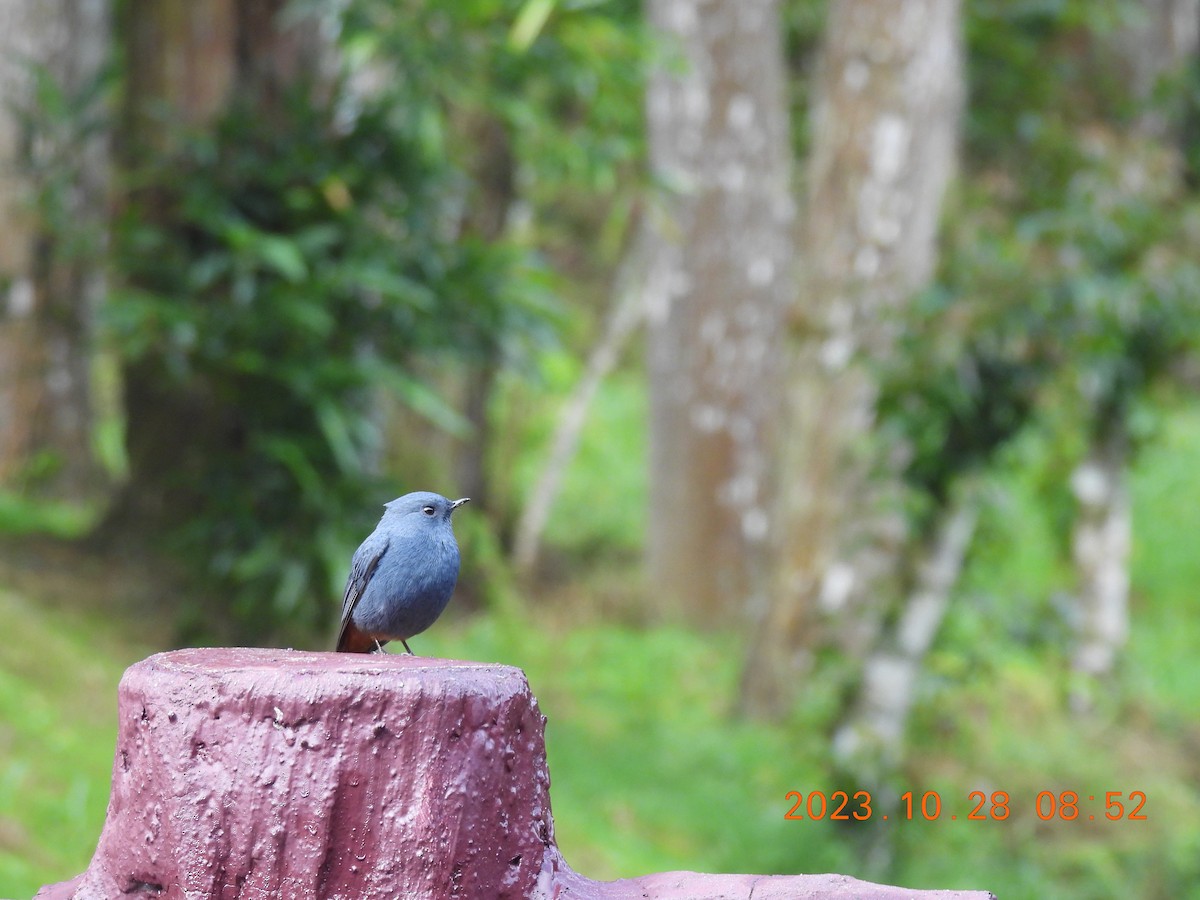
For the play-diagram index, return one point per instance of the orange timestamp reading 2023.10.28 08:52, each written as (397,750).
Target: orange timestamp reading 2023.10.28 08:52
(980,807)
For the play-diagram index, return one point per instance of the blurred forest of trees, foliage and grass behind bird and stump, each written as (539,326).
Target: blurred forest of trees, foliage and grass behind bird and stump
(823,374)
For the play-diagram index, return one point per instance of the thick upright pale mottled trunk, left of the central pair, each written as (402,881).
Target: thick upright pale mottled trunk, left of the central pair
(718,281)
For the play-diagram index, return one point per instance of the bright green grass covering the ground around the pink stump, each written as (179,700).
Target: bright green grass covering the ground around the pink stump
(651,773)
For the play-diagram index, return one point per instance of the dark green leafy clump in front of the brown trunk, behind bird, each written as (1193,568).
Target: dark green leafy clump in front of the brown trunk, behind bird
(281,274)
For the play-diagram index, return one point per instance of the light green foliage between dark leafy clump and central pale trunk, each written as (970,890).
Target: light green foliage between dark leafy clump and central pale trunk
(555,93)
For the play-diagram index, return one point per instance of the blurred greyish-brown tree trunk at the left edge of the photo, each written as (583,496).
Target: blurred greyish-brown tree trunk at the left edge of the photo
(53,202)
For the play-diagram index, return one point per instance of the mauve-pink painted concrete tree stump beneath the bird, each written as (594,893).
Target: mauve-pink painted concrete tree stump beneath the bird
(247,773)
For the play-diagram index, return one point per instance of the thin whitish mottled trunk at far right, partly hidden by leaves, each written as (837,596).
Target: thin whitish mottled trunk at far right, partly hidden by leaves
(1159,44)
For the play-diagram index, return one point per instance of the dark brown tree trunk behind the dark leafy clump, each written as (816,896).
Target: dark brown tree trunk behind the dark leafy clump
(185,64)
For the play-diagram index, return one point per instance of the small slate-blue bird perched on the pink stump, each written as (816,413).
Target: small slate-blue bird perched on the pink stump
(403,575)
